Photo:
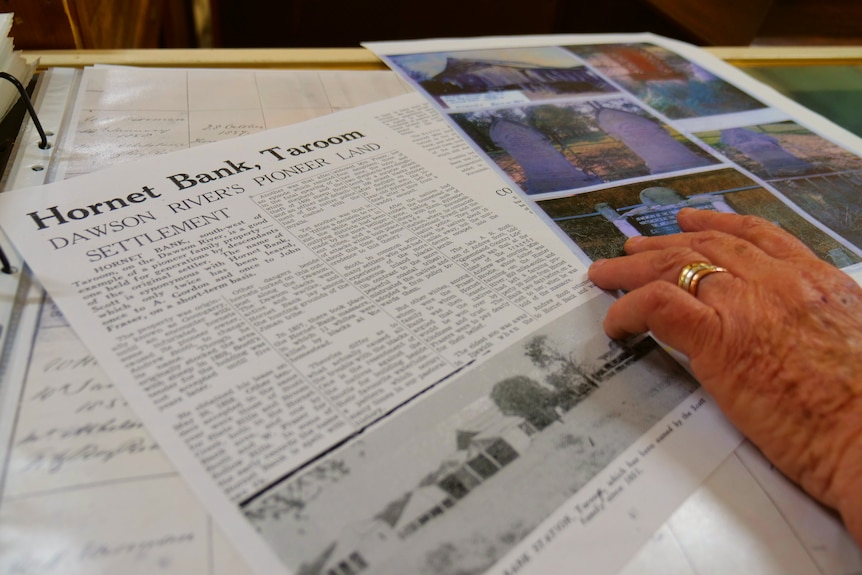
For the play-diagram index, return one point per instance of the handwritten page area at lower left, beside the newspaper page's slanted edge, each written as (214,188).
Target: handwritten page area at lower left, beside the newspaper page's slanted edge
(79,465)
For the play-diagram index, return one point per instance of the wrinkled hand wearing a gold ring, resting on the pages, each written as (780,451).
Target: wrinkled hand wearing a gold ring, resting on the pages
(777,341)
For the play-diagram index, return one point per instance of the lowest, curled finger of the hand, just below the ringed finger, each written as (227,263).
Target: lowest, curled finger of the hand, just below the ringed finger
(672,315)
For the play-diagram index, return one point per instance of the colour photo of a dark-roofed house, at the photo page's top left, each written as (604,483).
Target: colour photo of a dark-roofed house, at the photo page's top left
(532,73)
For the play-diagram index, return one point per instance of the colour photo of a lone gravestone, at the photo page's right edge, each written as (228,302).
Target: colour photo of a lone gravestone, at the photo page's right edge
(817,175)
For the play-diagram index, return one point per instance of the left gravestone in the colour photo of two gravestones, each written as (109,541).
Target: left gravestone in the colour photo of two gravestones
(545,168)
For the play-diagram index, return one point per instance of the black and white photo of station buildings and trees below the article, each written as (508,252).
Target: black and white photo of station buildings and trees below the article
(452,483)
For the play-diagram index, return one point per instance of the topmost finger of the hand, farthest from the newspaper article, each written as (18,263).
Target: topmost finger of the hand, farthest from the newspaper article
(767,236)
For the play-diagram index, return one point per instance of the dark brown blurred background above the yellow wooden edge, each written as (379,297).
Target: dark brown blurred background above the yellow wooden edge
(108,24)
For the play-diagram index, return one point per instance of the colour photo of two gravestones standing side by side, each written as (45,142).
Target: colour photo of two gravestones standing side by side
(553,147)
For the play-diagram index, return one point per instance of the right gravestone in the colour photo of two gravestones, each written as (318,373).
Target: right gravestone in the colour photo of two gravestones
(649,140)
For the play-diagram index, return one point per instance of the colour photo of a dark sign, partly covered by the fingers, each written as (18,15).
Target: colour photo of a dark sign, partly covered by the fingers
(600,222)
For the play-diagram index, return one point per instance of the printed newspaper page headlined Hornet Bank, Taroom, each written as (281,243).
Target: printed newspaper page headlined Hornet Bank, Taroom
(365,353)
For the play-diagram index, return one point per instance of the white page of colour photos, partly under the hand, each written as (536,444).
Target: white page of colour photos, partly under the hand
(608,137)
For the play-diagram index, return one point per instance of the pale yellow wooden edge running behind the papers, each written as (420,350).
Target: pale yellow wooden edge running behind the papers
(362,59)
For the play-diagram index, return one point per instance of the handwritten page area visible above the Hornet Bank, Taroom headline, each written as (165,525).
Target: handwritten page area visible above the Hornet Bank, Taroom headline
(125,113)
